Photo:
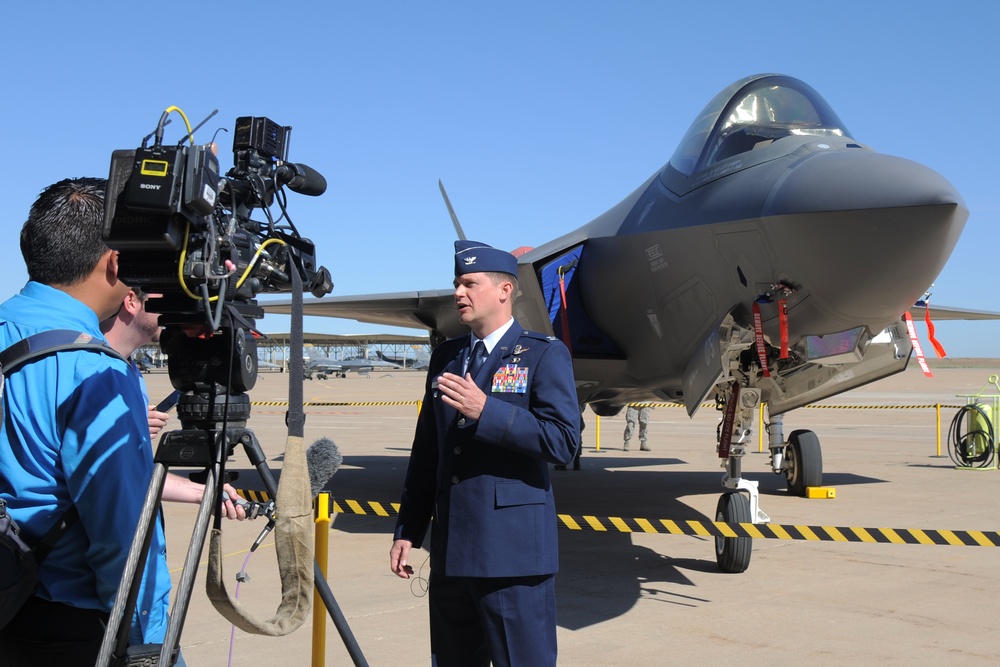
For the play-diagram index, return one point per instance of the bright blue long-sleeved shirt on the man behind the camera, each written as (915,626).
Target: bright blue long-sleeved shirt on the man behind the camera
(76,432)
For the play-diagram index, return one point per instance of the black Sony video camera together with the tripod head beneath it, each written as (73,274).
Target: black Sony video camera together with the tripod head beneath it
(184,232)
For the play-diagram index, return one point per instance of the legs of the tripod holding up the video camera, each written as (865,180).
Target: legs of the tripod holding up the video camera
(190,448)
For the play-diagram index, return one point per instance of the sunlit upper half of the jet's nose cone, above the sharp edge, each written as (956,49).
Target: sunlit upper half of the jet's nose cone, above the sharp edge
(851,179)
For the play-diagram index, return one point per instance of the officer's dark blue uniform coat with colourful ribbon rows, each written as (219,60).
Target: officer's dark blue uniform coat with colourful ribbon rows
(486,483)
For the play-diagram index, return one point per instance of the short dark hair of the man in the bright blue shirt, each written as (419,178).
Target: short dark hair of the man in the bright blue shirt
(61,241)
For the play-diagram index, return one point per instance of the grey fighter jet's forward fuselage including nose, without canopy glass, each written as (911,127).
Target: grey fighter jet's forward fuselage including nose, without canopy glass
(845,237)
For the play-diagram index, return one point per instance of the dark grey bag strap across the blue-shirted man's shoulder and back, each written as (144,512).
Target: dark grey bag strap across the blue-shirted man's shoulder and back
(27,350)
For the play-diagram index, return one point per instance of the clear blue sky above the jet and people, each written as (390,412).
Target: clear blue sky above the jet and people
(538,116)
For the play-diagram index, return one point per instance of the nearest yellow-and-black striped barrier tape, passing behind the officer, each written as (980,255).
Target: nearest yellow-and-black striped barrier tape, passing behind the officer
(954,538)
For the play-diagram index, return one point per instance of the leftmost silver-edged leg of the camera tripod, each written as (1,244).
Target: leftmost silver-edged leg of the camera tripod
(115,639)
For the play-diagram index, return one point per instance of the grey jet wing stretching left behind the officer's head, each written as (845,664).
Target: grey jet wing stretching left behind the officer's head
(433,310)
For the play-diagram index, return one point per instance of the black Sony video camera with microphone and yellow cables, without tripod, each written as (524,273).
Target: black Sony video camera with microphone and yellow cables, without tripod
(186,232)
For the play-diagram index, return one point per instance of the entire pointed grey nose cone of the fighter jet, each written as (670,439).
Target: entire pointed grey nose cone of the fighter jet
(886,226)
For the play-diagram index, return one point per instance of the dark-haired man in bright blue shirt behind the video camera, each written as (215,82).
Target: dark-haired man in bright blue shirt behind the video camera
(75,432)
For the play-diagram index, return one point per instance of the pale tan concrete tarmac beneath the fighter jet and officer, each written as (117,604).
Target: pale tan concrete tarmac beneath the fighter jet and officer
(654,599)
